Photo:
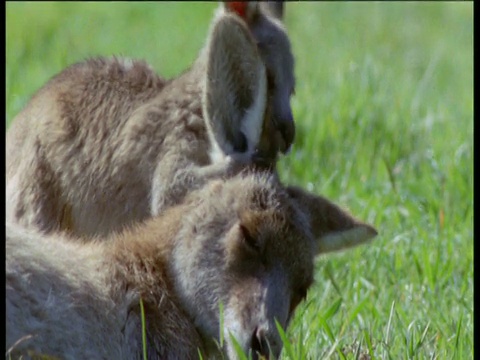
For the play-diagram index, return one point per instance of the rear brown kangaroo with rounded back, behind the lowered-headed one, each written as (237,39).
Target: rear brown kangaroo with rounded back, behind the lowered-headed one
(107,142)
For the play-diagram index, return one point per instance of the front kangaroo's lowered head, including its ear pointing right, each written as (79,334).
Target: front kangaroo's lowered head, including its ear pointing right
(249,244)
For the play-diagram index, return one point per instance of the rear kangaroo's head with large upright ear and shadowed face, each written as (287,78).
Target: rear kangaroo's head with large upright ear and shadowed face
(249,66)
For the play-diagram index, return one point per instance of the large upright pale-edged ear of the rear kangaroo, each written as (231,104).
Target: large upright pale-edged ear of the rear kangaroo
(234,98)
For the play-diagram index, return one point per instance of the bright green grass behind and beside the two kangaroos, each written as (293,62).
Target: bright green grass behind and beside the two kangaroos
(384,113)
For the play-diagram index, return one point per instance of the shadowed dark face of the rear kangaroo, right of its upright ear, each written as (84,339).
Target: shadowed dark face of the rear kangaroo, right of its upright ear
(264,21)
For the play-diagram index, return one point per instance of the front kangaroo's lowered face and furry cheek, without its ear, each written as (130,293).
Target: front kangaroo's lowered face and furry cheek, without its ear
(257,267)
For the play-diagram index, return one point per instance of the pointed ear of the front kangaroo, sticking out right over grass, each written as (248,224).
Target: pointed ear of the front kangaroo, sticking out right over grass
(334,228)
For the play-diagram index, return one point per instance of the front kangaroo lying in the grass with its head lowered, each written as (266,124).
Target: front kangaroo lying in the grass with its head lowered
(250,250)
